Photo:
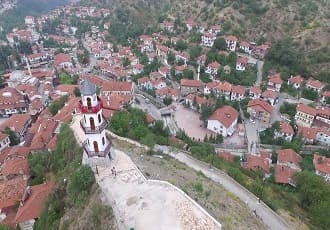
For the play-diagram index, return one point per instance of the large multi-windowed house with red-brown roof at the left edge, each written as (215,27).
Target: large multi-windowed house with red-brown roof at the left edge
(12,102)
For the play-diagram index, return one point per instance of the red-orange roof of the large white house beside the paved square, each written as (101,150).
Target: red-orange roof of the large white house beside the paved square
(226,115)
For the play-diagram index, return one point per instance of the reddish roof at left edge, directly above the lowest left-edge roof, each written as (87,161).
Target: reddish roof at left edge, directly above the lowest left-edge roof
(15,166)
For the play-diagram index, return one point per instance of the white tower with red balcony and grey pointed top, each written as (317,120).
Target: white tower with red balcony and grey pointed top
(93,123)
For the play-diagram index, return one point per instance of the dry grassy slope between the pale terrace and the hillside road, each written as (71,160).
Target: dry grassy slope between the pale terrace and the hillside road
(223,205)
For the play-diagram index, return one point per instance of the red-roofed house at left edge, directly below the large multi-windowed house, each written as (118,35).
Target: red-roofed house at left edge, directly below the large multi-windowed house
(19,123)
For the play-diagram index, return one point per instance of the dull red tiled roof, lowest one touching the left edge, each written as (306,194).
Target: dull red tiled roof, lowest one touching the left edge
(11,191)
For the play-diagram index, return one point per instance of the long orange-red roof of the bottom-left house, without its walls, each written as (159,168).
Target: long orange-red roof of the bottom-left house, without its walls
(34,204)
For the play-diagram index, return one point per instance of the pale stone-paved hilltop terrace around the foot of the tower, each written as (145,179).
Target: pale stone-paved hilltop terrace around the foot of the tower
(146,204)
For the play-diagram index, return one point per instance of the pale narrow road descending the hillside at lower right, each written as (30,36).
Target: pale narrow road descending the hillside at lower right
(268,216)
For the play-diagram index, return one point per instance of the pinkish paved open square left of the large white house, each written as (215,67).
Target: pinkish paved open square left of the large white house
(188,120)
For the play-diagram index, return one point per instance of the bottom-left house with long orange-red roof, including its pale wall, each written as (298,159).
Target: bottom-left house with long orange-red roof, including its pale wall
(32,205)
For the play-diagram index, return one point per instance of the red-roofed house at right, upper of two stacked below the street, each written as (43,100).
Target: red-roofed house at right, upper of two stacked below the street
(289,157)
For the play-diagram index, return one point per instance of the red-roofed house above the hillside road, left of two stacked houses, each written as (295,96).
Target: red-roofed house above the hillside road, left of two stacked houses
(260,161)
